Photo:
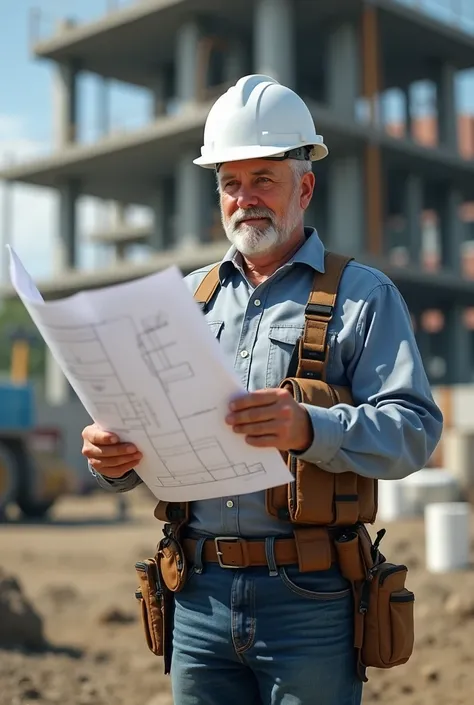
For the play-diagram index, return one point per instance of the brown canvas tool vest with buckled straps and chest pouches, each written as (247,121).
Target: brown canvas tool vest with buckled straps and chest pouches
(316,497)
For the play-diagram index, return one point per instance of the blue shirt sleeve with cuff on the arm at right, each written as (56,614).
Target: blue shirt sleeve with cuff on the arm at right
(394,425)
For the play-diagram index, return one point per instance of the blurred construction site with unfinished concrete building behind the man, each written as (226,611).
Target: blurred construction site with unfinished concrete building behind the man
(381,79)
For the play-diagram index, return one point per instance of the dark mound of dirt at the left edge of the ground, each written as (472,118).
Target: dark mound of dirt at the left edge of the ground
(20,625)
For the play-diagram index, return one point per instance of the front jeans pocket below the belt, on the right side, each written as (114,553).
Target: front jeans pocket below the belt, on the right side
(327,585)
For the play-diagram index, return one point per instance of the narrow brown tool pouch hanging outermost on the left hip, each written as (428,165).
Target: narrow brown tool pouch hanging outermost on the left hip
(156,607)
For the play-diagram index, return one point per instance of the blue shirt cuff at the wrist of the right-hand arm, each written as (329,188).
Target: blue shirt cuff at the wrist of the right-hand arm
(327,436)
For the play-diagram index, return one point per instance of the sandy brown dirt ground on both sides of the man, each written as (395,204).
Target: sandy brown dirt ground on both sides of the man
(78,573)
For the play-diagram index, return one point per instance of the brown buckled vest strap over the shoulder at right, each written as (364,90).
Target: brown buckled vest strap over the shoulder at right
(312,358)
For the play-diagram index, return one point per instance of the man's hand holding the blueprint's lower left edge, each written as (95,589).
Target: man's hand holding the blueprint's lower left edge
(106,454)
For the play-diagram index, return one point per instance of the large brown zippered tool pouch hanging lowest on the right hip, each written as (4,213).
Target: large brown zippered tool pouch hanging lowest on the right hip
(387,610)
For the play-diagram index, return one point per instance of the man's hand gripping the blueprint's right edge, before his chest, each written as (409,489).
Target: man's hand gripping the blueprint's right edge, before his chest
(271,418)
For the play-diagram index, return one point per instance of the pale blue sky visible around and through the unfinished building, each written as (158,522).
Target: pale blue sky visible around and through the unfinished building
(26,122)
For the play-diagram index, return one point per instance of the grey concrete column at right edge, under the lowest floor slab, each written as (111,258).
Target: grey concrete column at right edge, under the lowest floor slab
(457,344)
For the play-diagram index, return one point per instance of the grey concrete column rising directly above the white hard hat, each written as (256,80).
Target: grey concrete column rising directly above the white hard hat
(274,40)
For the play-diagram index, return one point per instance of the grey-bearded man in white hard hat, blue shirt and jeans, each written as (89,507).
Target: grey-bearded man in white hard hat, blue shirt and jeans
(271,634)
